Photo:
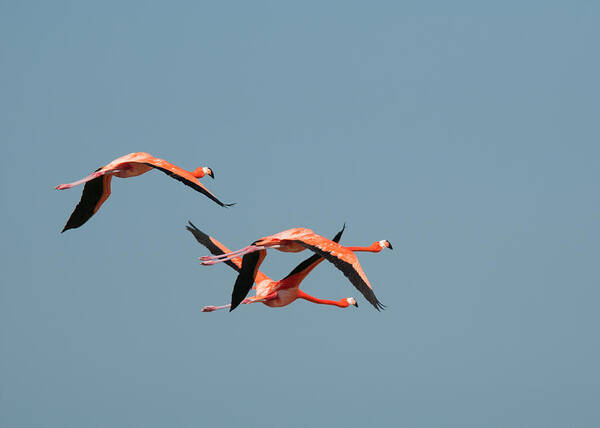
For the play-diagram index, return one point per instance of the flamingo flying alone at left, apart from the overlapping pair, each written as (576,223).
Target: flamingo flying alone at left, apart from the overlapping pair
(97,184)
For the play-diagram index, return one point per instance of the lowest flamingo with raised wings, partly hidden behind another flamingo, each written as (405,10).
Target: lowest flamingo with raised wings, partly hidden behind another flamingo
(269,292)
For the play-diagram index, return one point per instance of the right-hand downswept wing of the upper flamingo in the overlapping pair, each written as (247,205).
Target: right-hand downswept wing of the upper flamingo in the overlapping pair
(343,259)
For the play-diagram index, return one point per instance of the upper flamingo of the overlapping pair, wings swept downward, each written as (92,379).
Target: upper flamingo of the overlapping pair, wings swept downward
(293,241)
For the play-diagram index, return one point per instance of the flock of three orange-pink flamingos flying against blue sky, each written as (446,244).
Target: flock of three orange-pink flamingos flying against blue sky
(247,260)
